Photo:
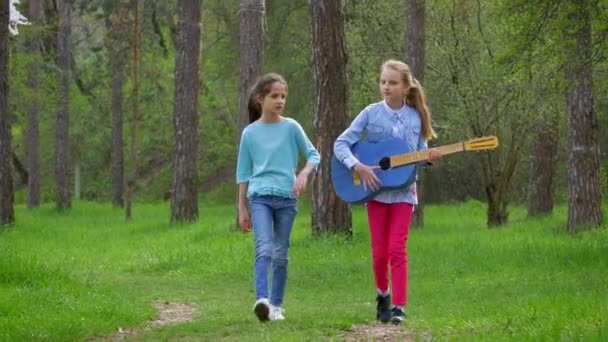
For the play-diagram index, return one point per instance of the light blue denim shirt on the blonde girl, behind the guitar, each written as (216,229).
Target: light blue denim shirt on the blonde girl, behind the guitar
(378,121)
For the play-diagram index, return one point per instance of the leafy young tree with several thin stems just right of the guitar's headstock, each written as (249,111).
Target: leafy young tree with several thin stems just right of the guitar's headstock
(479,99)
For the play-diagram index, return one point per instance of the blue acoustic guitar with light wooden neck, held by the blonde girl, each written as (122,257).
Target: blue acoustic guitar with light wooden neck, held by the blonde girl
(397,165)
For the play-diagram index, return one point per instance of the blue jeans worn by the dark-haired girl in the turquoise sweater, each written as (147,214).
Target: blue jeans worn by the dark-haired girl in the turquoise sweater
(272,219)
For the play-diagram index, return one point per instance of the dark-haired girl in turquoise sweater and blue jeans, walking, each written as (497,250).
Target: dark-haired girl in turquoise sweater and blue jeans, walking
(266,174)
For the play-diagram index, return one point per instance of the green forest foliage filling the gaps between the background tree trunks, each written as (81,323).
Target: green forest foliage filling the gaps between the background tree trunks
(492,68)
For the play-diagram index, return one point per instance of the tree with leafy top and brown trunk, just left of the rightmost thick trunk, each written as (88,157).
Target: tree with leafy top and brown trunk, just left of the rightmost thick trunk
(532,25)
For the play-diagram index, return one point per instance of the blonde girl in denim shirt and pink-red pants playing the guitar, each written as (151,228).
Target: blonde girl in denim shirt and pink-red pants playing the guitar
(402,114)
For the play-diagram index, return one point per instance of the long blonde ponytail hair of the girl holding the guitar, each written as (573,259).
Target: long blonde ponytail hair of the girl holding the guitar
(415,95)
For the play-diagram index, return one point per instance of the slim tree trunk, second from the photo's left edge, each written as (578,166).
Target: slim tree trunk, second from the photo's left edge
(33,133)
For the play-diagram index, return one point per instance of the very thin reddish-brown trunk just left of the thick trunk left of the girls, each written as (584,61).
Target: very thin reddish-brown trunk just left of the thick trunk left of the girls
(135,104)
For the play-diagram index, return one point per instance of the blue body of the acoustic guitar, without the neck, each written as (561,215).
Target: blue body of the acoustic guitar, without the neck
(351,191)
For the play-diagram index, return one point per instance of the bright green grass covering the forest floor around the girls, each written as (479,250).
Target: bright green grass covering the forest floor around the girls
(86,273)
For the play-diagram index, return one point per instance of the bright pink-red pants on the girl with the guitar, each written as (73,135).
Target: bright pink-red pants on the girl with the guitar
(389,226)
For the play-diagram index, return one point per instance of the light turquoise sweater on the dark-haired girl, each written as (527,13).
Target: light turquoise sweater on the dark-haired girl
(268,157)
